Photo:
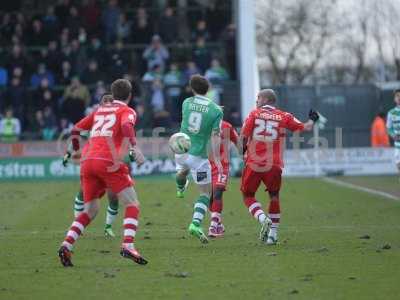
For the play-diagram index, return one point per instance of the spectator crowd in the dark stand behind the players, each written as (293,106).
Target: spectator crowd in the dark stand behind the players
(56,63)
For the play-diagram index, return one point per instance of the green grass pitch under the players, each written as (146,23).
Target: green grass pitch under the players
(320,255)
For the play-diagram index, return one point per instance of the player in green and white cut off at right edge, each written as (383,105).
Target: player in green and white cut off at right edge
(393,126)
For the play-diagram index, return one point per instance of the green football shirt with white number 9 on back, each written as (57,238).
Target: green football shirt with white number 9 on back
(200,117)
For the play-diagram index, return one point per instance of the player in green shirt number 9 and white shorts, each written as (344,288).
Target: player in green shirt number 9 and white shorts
(201,120)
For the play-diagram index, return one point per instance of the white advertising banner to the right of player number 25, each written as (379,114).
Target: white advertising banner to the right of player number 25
(346,161)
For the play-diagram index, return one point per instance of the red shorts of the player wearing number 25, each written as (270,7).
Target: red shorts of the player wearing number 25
(251,180)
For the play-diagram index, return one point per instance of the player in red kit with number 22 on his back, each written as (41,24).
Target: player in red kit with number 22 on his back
(112,136)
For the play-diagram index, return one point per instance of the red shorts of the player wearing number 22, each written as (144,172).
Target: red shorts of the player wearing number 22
(99,175)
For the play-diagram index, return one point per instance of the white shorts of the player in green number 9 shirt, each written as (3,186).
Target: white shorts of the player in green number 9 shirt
(200,168)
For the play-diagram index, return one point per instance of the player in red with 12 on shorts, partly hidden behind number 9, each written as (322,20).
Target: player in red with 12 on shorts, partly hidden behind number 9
(220,180)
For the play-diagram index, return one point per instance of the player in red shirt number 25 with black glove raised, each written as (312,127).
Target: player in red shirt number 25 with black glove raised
(263,136)
